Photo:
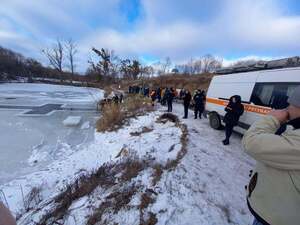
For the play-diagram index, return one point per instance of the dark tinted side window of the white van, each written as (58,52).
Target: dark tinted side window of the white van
(273,95)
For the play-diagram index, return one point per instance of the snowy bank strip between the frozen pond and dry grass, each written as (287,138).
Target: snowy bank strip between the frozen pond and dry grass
(155,143)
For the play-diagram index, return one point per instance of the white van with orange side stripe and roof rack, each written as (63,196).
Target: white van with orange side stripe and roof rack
(260,91)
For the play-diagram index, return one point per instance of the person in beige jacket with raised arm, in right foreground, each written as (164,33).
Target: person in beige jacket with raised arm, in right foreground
(274,189)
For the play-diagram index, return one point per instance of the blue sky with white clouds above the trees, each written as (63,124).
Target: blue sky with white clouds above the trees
(154,29)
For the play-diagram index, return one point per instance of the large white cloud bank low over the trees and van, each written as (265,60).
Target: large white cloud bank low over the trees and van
(249,26)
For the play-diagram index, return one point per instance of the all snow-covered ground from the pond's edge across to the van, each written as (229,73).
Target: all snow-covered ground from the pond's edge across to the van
(206,187)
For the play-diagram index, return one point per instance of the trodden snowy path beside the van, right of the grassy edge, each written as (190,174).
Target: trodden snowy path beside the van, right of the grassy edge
(208,186)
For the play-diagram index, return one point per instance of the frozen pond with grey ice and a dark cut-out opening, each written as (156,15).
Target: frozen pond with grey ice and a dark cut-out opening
(32,129)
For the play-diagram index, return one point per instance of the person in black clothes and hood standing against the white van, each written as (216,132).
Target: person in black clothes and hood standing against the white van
(234,110)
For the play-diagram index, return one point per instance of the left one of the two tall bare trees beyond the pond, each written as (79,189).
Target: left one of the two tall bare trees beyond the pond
(55,56)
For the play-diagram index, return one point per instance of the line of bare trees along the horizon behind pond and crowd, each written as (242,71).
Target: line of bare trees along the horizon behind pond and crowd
(106,65)
